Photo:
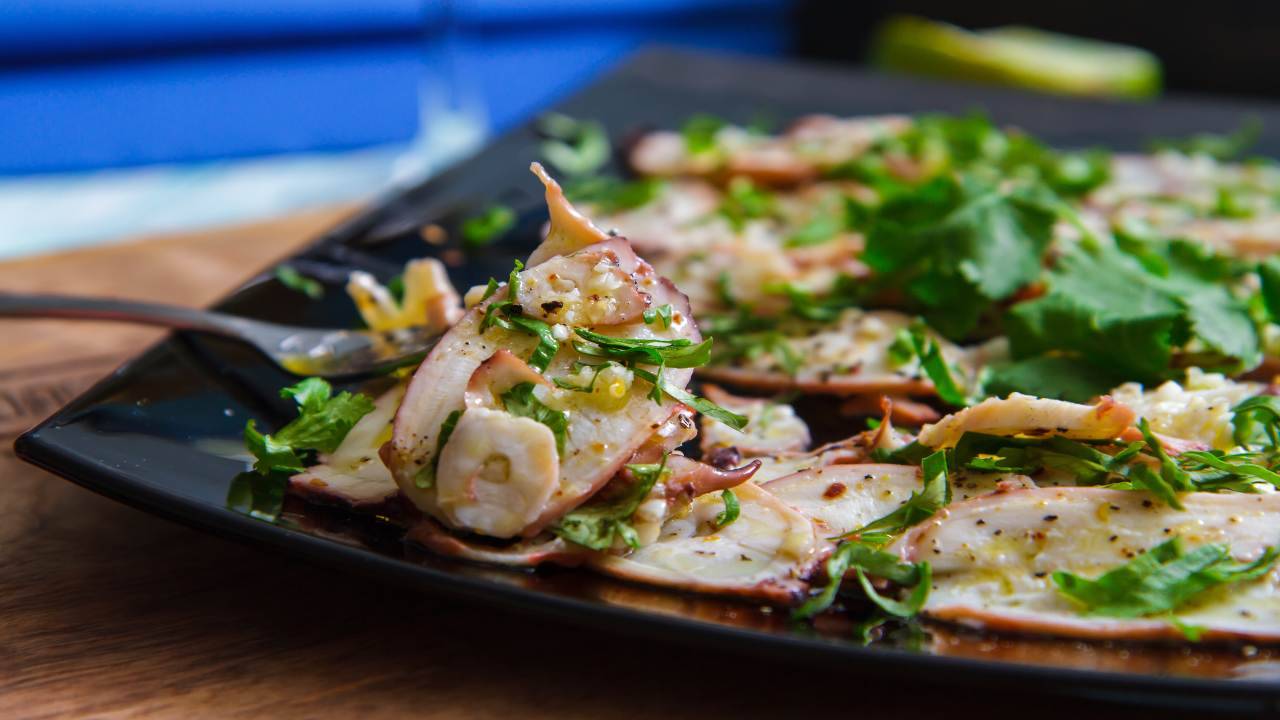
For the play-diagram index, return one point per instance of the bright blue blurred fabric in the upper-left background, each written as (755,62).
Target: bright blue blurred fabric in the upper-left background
(94,84)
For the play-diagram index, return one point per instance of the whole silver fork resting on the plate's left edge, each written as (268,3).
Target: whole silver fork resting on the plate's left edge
(303,352)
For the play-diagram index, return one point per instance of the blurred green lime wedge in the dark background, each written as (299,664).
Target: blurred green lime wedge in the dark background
(1017,57)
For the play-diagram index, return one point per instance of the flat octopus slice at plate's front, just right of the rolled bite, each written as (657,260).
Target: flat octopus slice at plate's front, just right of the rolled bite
(767,554)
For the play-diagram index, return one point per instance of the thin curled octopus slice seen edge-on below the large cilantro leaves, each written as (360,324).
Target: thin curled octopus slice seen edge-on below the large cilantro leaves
(1032,417)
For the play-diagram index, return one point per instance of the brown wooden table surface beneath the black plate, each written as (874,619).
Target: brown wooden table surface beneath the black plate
(111,613)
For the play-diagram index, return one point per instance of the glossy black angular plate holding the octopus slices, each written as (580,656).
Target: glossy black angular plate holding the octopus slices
(162,434)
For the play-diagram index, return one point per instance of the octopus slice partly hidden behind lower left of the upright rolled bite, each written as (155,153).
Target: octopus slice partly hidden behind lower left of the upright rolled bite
(354,475)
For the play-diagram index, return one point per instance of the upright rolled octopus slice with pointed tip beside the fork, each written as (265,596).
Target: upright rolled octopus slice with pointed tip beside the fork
(601,438)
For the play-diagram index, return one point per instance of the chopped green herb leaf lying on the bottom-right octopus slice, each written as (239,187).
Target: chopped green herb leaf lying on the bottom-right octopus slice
(1160,581)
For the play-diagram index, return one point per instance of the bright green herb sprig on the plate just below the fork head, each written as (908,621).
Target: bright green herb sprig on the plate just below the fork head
(322,425)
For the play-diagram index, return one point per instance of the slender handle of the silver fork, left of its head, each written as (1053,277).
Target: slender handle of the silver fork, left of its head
(74,308)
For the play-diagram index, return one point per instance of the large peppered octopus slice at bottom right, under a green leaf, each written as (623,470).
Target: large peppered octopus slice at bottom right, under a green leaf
(994,559)
